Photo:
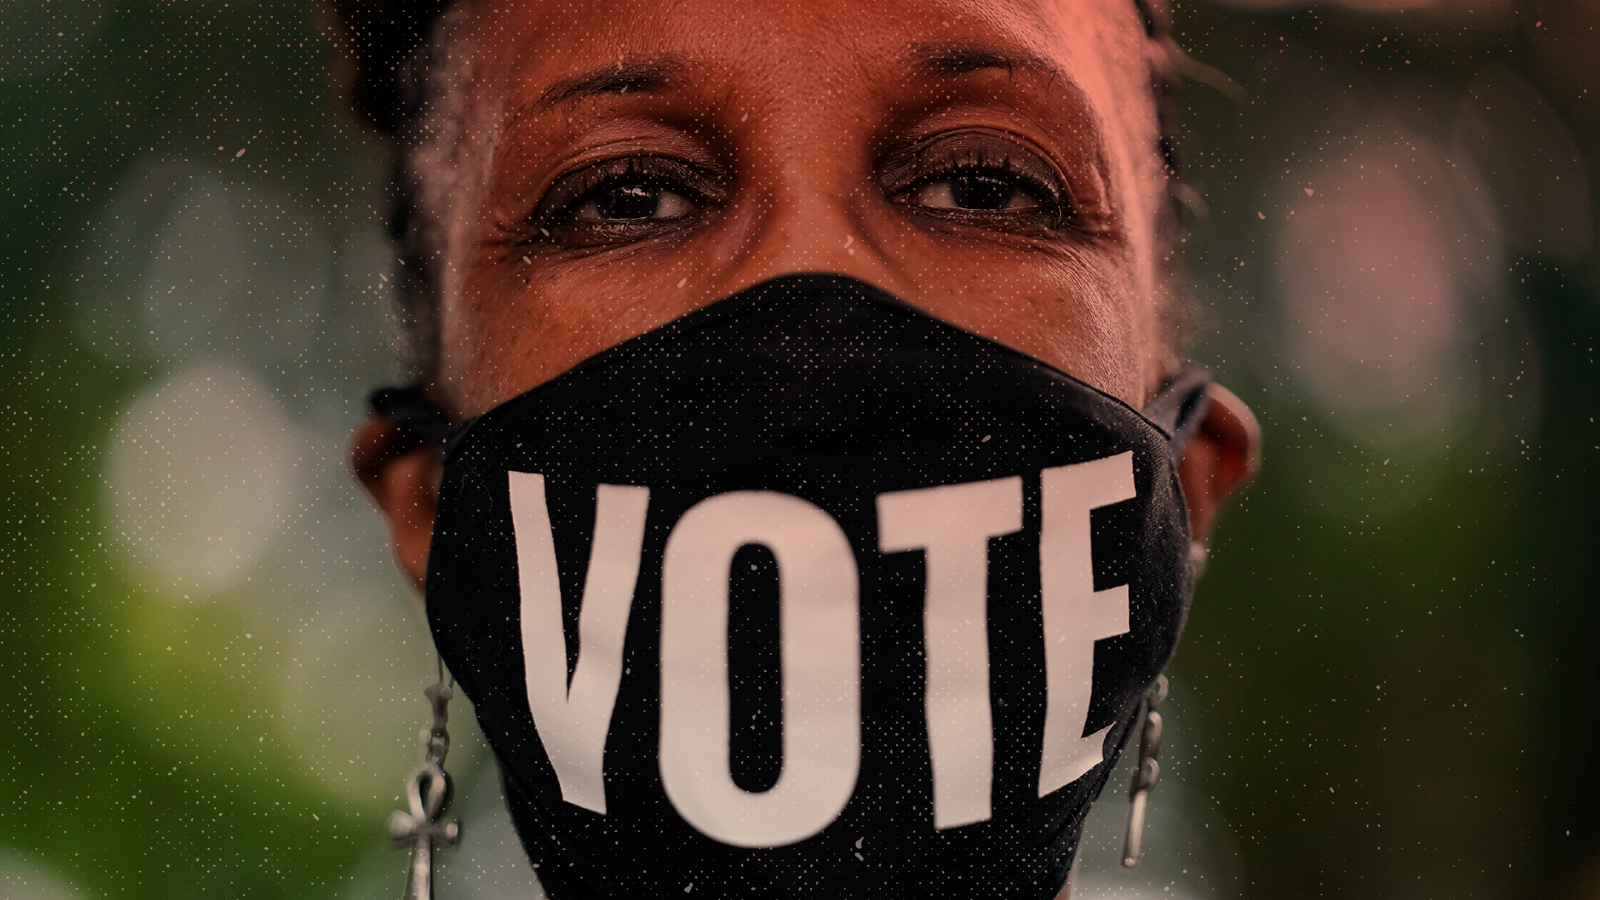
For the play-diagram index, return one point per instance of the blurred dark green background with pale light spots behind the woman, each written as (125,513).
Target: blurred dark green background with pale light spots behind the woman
(214,677)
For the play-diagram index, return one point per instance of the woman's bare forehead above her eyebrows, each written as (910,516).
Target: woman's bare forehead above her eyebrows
(1097,47)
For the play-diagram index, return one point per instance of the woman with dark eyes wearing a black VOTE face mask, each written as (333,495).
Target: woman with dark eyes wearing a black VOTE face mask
(801,350)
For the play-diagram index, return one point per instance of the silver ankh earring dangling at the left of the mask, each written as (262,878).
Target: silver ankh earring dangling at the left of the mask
(430,792)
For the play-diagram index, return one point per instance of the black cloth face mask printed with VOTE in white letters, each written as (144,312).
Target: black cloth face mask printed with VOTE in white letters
(809,595)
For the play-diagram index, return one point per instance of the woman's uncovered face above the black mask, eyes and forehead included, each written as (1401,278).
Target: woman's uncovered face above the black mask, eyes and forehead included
(626,163)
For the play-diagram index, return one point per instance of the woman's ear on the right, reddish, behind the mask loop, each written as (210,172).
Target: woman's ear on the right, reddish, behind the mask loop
(1220,459)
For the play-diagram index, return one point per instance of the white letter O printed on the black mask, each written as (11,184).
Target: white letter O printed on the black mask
(818,590)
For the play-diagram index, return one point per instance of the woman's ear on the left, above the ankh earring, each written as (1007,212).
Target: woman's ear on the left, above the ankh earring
(401,475)
